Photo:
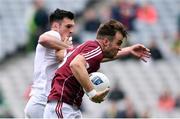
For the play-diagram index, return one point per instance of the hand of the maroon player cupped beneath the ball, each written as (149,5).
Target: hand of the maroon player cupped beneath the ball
(99,97)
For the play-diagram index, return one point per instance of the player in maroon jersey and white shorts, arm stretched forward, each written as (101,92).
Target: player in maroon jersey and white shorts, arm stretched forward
(67,91)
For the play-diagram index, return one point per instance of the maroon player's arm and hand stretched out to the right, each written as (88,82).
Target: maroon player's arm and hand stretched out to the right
(137,50)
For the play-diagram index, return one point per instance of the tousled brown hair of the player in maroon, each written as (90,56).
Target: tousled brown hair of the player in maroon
(110,28)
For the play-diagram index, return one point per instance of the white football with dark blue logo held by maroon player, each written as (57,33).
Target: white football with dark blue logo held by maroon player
(100,81)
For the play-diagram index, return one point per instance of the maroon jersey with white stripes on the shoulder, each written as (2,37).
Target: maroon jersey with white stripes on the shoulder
(65,87)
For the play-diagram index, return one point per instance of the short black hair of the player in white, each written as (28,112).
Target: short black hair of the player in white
(59,15)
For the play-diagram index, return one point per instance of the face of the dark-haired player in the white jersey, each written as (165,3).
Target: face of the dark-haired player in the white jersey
(66,27)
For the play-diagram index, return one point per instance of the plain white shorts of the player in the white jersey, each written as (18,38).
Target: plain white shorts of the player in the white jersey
(34,109)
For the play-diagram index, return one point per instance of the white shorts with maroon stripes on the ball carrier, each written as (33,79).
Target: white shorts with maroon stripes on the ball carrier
(57,109)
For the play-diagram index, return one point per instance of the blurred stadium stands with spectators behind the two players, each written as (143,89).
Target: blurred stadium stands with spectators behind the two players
(145,89)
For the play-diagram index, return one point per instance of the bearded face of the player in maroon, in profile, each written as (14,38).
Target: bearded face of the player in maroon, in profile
(114,46)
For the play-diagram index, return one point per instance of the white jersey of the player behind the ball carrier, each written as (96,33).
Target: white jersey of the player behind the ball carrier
(45,65)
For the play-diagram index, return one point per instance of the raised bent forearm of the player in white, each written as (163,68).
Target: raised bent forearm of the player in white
(52,43)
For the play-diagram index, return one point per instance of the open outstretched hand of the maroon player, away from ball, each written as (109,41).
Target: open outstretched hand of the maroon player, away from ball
(140,51)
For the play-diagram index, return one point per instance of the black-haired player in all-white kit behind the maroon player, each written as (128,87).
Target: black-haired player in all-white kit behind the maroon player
(46,61)
